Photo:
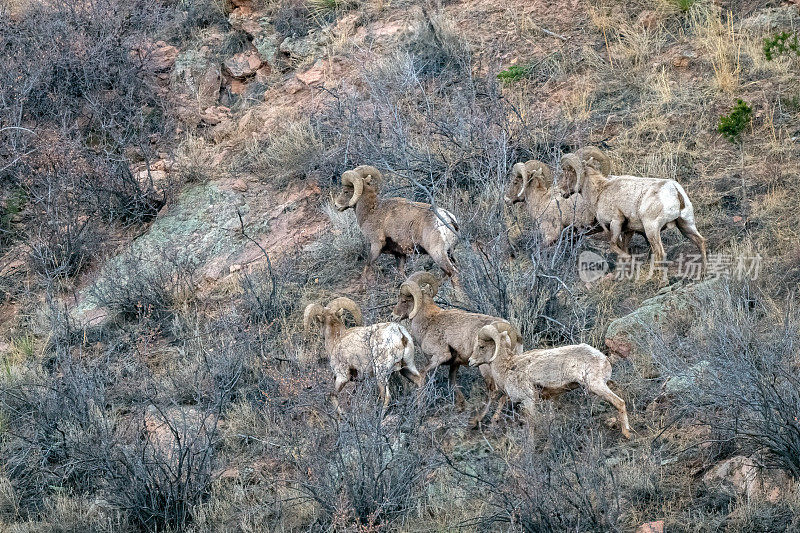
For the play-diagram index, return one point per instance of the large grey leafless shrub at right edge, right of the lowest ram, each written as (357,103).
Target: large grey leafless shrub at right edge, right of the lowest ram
(740,374)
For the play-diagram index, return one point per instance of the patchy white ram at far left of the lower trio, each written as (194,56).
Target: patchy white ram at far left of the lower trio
(376,350)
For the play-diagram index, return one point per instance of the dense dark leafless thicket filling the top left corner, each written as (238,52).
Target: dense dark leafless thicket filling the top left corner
(88,108)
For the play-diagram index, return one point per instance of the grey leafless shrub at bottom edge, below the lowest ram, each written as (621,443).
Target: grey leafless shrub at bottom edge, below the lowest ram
(564,484)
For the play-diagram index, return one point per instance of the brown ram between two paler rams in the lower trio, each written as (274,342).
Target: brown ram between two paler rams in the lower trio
(447,336)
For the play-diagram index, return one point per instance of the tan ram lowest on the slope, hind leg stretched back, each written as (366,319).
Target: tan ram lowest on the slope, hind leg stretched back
(546,373)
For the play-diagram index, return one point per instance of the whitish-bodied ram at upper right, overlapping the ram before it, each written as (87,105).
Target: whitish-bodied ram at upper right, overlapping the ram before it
(628,204)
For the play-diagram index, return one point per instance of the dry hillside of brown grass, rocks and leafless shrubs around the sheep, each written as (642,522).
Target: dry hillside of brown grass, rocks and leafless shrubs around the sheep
(157,250)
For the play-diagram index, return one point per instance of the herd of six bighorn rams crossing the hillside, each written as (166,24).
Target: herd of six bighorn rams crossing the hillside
(587,196)
